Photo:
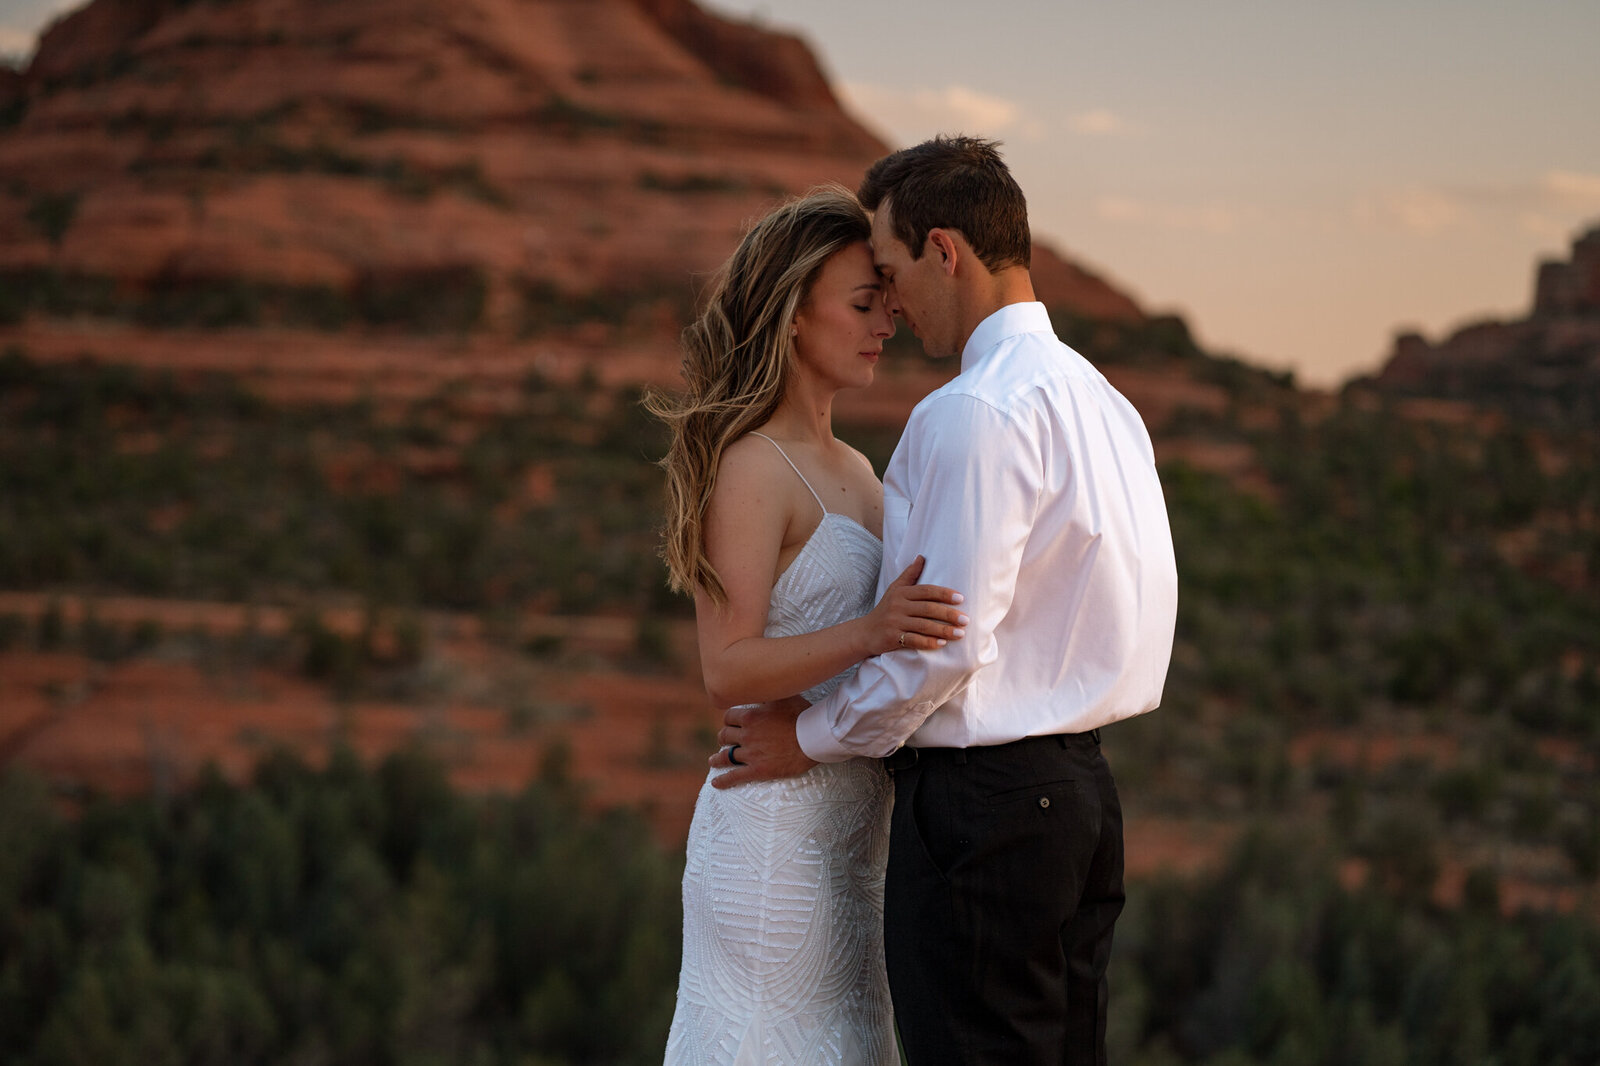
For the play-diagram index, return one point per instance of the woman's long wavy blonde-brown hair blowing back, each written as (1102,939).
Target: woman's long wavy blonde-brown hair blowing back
(737,363)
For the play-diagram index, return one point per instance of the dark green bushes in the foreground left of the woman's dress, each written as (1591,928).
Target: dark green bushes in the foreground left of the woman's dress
(346,915)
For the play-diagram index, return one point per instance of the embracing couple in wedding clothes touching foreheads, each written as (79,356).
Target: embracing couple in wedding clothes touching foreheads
(927,836)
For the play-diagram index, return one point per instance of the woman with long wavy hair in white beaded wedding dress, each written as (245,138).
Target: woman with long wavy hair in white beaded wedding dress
(774,526)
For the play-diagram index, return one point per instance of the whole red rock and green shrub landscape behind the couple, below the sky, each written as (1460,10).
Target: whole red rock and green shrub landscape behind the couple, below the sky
(346,716)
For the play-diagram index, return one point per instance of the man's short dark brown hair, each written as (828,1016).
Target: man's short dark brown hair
(953,183)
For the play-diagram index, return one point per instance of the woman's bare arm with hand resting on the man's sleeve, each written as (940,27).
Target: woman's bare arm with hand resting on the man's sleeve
(746,529)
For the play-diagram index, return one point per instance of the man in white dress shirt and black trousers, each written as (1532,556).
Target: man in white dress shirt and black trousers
(1028,484)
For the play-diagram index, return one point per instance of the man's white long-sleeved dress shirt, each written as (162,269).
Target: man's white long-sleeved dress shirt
(1030,486)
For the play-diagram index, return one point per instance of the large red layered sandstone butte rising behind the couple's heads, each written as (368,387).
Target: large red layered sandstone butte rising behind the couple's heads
(574,148)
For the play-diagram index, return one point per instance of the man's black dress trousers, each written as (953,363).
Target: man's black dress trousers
(1004,884)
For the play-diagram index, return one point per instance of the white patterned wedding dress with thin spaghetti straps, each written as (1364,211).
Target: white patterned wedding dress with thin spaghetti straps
(783,889)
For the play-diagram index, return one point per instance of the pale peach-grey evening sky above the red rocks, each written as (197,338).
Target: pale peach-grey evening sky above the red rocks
(1298,180)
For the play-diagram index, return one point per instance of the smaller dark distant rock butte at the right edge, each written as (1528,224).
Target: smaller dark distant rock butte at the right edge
(1545,366)
